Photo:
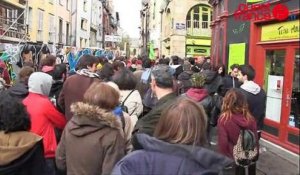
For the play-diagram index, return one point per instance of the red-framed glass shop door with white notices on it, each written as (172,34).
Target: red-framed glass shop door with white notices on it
(281,83)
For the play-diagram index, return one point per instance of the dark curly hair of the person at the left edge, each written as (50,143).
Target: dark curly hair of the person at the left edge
(13,115)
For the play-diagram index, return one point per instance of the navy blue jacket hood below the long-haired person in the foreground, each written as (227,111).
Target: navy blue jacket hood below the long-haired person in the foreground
(204,157)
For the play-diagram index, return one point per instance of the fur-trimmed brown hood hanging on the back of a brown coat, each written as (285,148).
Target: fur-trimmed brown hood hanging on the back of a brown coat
(90,118)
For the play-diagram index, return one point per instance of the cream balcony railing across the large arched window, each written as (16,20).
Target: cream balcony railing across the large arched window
(200,28)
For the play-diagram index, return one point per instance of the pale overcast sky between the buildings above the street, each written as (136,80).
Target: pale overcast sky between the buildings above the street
(129,12)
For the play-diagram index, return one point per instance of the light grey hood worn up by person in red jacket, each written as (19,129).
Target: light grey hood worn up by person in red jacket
(40,83)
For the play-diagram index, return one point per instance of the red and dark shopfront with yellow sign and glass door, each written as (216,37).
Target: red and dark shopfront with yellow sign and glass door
(271,45)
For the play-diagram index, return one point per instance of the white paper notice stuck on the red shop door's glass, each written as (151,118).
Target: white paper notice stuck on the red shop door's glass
(274,97)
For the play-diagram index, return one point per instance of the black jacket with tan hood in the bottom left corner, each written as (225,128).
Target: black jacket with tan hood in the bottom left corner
(31,162)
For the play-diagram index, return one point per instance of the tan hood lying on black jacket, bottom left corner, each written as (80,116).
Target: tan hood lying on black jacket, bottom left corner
(14,145)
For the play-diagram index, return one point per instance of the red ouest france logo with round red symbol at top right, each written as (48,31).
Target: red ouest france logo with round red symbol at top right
(262,11)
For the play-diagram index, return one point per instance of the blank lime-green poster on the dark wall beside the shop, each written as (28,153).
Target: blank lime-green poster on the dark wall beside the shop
(236,54)
